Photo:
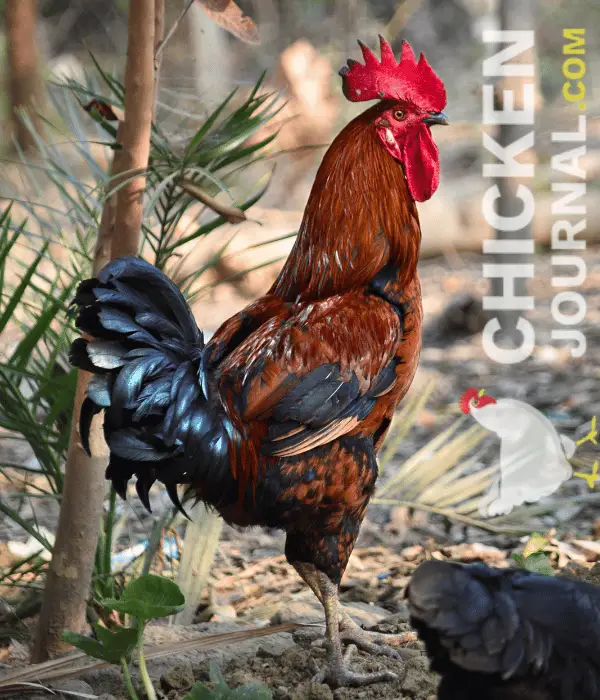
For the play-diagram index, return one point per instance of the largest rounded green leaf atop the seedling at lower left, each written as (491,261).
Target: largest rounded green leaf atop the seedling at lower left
(147,597)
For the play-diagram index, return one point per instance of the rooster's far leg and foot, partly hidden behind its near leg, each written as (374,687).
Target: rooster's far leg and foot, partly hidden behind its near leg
(350,633)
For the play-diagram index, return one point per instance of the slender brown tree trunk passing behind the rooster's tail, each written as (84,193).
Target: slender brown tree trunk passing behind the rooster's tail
(69,576)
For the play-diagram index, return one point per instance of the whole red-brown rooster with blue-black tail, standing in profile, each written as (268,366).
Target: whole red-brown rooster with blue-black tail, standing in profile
(278,419)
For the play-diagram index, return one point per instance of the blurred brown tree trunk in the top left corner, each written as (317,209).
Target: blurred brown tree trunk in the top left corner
(20,17)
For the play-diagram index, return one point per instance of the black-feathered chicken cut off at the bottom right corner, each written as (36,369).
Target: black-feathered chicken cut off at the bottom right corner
(507,634)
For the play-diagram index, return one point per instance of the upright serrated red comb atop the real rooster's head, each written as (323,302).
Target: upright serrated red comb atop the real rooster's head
(407,79)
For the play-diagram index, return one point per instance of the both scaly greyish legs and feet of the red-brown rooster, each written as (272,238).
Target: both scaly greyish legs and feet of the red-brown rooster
(337,673)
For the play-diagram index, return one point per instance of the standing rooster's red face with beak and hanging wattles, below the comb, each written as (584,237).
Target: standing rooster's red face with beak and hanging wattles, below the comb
(404,130)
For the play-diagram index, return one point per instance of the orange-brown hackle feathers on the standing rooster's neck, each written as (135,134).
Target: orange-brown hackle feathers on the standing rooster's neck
(352,225)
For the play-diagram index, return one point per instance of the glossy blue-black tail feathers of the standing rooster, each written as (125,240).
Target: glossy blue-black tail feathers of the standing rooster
(161,421)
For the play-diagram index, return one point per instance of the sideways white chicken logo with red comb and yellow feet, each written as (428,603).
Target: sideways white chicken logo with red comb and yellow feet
(534,458)
